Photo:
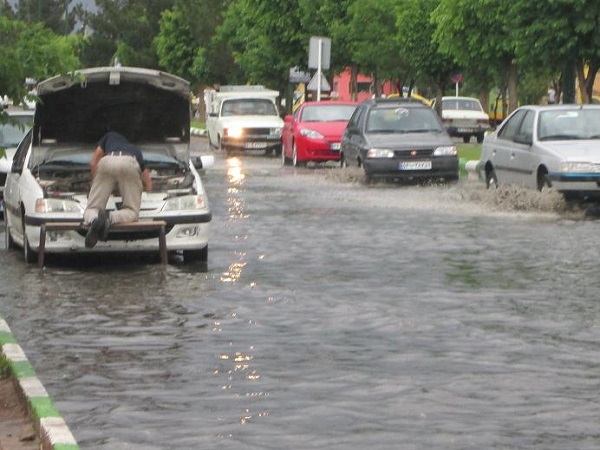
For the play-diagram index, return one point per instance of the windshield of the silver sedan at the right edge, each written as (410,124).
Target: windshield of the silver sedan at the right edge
(569,124)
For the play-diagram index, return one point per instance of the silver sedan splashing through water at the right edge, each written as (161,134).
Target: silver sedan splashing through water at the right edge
(546,146)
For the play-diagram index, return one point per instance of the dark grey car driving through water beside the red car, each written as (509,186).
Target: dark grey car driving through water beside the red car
(399,138)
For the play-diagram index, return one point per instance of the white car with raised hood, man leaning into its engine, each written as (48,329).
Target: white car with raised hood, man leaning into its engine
(50,175)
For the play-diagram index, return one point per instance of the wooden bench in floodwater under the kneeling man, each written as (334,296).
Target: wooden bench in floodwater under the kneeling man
(154,225)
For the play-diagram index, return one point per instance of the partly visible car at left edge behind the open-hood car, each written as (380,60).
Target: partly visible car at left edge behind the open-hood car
(12,130)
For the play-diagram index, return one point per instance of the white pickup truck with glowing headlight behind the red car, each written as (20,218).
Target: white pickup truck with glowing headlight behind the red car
(243,118)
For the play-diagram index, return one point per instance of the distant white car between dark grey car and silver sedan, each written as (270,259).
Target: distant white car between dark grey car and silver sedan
(464,117)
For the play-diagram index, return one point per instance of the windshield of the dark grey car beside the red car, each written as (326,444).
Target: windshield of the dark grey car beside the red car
(402,120)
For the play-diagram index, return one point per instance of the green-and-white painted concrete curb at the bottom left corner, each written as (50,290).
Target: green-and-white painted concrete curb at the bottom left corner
(52,431)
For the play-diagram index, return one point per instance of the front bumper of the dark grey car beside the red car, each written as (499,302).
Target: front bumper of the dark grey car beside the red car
(443,167)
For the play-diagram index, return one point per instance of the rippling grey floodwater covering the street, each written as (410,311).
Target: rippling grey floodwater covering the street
(331,315)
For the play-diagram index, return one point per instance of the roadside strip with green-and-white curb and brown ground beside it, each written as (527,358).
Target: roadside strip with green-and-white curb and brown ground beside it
(33,419)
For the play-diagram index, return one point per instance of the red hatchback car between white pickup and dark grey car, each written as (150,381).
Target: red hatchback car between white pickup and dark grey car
(314,132)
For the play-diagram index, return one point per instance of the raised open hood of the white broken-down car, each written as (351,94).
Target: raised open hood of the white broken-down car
(144,105)
